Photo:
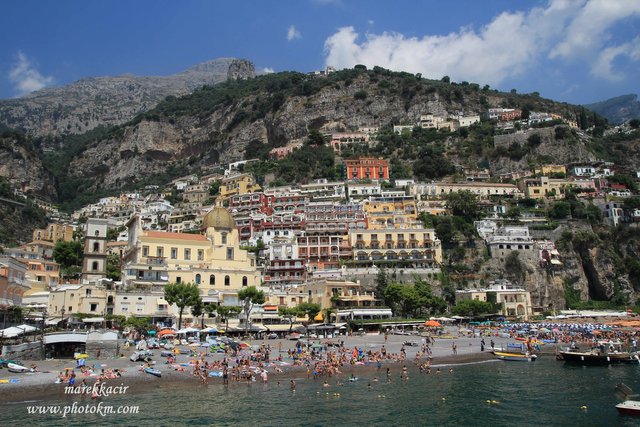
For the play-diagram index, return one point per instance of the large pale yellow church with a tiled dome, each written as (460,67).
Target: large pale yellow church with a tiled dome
(212,260)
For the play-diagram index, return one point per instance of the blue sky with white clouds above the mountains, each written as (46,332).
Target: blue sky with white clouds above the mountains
(577,51)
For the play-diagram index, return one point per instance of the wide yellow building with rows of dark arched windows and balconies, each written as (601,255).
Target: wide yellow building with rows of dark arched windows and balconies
(413,245)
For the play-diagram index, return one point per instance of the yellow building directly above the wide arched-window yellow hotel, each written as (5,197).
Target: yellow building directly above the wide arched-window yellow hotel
(383,212)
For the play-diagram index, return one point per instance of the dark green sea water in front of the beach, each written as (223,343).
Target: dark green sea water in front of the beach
(543,393)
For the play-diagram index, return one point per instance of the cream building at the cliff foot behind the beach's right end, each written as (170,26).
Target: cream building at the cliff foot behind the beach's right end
(511,301)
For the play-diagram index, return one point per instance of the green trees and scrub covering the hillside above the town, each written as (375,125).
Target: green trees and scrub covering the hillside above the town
(262,97)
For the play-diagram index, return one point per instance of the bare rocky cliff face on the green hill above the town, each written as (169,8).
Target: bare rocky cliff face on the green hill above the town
(217,125)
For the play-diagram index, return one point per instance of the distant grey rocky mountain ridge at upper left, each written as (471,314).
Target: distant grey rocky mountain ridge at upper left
(95,101)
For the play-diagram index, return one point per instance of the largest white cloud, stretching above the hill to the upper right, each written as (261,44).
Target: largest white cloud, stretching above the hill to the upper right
(508,46)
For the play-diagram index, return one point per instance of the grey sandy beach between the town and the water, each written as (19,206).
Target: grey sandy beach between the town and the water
(41,385)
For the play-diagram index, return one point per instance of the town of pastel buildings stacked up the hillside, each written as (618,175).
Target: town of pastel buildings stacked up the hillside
(324,242)
